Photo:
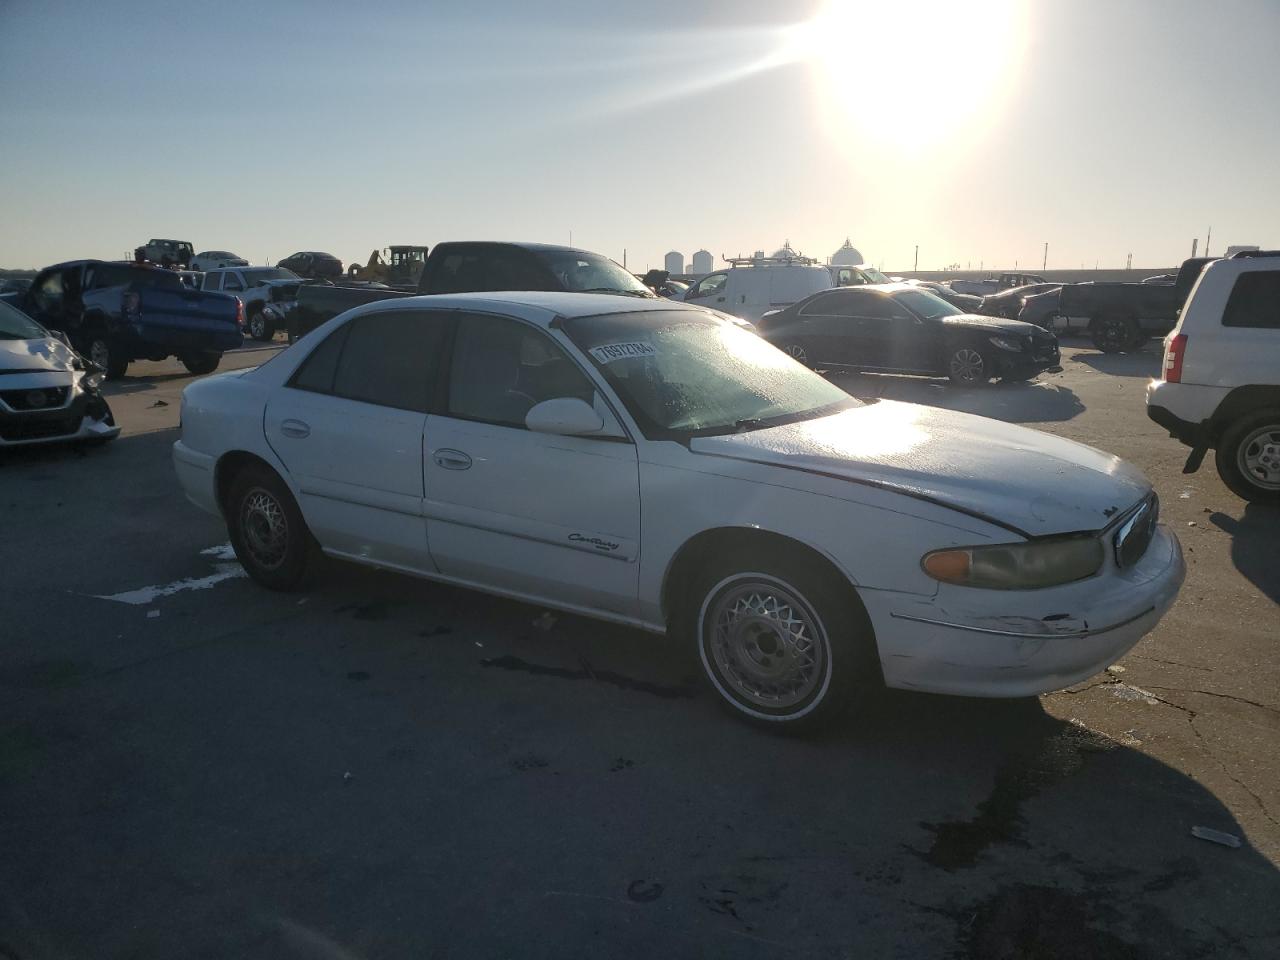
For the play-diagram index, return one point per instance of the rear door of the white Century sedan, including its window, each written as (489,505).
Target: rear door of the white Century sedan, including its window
(349,428)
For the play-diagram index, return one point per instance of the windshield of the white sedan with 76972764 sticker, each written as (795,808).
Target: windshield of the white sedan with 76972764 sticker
(691,374)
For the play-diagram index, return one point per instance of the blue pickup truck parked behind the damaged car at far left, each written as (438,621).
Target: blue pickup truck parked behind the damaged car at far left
(117,313)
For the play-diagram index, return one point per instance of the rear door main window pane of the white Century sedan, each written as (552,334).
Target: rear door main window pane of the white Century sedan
(391,360)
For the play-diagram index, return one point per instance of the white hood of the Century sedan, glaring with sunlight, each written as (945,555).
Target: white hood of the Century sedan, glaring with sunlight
(1026,481)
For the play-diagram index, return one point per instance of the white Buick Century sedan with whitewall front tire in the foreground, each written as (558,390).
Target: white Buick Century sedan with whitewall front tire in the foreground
(656,465)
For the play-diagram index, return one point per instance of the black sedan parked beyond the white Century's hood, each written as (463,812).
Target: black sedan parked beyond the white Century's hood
(902,330)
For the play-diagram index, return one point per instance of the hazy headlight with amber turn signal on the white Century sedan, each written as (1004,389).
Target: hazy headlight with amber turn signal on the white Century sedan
(1018,566)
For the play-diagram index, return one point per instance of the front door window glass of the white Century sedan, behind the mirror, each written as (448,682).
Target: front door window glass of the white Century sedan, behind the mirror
(504,368)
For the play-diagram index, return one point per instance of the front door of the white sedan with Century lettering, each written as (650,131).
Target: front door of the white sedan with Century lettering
(531,514)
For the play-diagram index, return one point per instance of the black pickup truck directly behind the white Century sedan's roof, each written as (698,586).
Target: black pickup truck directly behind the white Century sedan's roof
(468,267)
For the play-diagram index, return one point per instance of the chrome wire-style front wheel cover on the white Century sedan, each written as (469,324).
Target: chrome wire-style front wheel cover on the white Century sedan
(769,647)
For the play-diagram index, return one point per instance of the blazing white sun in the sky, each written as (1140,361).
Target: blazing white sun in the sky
(912,72)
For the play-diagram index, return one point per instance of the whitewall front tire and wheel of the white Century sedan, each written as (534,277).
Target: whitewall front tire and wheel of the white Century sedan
(733,606)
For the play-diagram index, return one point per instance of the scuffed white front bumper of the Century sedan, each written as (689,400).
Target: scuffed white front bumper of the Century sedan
(993,643)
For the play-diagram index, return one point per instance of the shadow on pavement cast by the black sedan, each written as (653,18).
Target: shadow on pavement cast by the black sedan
(1040,401)
